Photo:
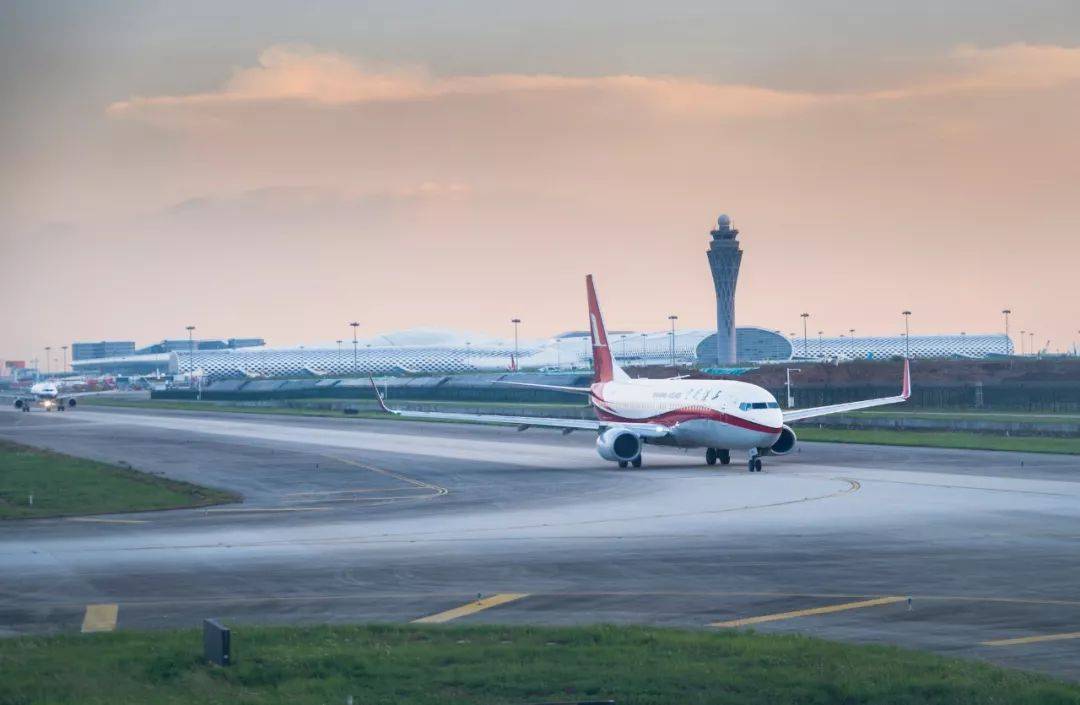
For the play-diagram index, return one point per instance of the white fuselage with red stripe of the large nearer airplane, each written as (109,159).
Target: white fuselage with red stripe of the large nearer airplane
(711,414)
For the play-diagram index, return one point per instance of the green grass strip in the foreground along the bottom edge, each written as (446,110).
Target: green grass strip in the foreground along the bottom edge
(499,666)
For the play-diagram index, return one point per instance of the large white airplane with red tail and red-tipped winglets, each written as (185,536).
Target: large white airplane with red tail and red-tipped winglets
(720,416)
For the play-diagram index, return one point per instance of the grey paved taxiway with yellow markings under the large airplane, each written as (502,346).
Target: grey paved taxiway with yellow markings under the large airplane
(348,521)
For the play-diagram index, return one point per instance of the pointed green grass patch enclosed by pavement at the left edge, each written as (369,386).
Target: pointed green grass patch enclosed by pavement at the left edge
(66,486)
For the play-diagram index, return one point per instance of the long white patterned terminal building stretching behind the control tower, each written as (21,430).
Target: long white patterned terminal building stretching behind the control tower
(453,354)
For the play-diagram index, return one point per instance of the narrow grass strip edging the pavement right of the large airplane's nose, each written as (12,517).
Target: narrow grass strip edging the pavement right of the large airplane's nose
(941,440)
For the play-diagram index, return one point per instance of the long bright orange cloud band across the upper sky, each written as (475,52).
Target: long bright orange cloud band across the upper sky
(302,74)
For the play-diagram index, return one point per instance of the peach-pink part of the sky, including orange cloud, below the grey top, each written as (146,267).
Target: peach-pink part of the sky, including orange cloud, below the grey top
(309,187)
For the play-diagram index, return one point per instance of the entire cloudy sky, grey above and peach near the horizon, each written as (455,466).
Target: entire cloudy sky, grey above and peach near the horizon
(278,170)
